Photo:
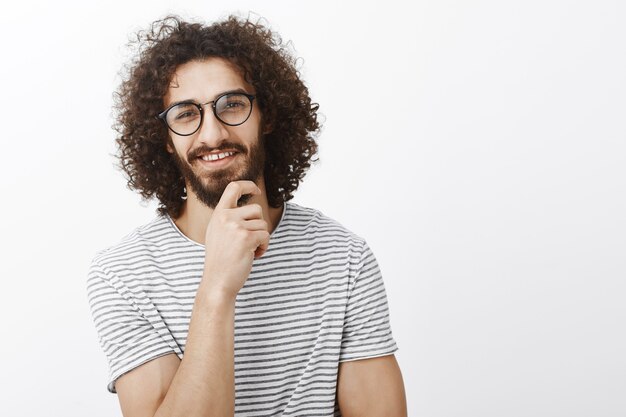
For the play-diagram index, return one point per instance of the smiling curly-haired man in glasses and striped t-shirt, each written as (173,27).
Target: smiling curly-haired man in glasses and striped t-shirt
(233,301)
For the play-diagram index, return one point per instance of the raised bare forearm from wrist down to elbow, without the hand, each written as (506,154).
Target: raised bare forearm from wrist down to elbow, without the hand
(204,384)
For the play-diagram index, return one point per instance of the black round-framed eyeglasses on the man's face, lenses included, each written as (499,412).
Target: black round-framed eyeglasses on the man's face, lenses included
(185,118)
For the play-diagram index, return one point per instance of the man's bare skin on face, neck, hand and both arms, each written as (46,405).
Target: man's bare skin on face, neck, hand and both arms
(202,383)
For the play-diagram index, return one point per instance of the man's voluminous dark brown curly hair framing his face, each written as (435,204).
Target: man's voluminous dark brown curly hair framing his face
(266,63)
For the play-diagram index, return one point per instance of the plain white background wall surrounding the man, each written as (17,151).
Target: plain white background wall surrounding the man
(478,146)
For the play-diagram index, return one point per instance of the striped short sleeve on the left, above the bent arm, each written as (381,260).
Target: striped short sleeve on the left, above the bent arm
(126,336)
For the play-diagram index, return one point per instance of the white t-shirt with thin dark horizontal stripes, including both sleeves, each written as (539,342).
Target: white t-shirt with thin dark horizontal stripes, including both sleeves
(314,299)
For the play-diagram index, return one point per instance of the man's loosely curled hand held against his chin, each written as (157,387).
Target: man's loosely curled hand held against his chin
(234,237)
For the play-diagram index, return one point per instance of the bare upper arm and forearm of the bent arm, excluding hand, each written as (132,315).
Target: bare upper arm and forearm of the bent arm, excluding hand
(202,383)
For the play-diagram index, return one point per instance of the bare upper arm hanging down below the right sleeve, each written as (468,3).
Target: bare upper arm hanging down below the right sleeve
(371,387)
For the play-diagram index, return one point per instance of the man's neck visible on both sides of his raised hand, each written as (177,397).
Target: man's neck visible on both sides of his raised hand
(195,216)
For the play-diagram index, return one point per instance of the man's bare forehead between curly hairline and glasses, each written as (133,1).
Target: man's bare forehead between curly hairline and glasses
(203,80)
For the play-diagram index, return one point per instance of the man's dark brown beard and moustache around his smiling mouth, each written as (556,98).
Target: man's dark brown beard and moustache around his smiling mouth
(210,185)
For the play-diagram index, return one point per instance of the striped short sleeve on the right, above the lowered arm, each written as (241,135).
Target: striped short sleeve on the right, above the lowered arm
(367,330)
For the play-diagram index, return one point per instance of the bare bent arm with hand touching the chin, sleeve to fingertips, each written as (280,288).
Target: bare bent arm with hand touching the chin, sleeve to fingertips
(202,383)
